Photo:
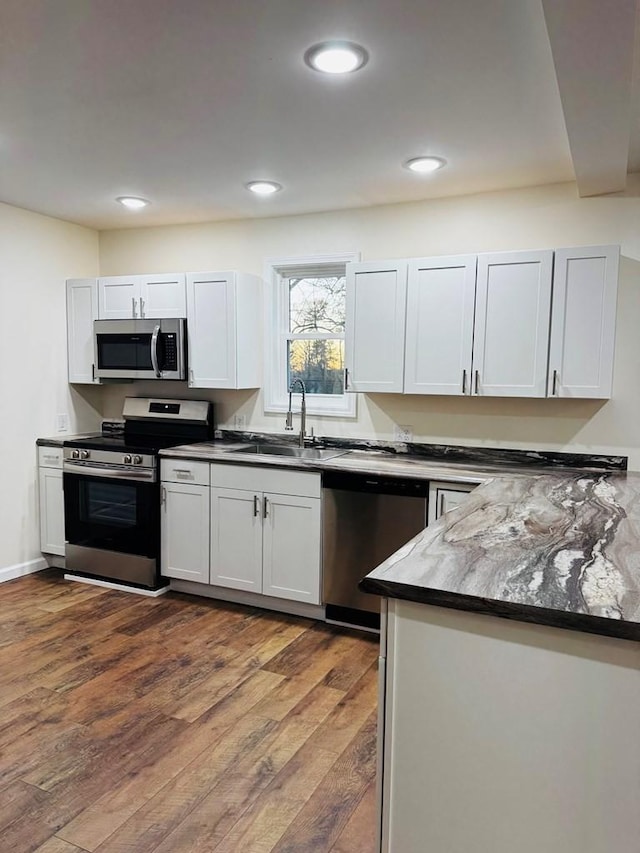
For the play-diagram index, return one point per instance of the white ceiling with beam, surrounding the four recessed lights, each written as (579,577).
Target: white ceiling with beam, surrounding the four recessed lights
(183,101)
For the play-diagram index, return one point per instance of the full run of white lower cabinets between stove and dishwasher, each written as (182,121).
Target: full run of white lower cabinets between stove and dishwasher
(255,529)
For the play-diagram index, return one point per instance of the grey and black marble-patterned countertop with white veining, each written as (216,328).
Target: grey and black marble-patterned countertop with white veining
(537,541)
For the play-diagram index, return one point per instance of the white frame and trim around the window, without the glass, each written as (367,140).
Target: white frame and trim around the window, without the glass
(276,396)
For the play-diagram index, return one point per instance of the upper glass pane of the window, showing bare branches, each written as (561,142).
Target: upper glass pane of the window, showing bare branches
(317,304)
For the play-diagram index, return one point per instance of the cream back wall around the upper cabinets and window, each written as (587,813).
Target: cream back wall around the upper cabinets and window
(541,217)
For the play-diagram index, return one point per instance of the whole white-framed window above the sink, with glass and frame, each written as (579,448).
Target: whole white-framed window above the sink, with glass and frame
(305,337)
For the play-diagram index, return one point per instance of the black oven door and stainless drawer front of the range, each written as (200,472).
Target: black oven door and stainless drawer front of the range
(112,527)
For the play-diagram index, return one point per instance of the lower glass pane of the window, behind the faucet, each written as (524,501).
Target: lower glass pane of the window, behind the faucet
(319,363)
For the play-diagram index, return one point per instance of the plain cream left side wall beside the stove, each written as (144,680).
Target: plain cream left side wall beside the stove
(37,254)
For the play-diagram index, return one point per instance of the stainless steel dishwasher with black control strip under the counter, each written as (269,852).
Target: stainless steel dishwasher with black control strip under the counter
(366,518)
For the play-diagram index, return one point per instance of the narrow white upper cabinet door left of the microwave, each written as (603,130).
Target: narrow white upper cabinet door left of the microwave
(82,310)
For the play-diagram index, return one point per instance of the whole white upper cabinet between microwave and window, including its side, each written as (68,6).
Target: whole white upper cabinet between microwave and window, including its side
(224,314)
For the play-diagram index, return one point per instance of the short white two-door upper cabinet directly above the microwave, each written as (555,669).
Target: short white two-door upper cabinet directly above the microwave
(140,297)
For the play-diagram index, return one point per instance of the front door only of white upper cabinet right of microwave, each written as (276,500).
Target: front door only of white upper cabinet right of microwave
(211,327)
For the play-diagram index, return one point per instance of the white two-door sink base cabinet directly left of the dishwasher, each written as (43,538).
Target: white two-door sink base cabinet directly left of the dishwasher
(265,531)
